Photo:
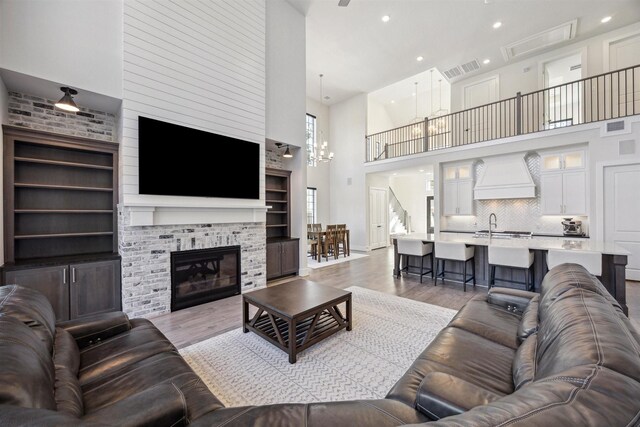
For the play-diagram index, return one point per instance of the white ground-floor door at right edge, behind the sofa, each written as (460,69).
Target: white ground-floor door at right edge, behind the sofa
(621,212)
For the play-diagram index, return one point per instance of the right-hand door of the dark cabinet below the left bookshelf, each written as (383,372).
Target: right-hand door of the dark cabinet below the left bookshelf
(94,288)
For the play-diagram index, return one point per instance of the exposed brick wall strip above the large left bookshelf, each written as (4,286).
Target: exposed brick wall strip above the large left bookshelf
(38,113)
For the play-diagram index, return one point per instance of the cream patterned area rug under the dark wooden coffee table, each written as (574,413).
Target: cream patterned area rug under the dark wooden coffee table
(389,332)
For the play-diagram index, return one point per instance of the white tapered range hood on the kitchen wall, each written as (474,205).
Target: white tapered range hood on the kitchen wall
(505,177)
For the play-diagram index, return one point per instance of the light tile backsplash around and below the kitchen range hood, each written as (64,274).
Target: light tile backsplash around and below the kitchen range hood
(512,214)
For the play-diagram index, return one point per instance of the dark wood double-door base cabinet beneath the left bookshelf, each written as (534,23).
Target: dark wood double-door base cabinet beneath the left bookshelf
(74,289)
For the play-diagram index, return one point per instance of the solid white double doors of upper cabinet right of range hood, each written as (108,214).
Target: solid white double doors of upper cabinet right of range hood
(563,193)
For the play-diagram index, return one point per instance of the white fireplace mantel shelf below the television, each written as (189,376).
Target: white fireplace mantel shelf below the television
(167,210)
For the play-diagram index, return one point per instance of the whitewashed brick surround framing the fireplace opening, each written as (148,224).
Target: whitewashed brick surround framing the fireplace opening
(146,258)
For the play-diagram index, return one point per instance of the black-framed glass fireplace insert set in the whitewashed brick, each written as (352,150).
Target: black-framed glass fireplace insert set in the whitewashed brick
(204,275)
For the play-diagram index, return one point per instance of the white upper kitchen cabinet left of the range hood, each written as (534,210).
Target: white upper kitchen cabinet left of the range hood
(458,190)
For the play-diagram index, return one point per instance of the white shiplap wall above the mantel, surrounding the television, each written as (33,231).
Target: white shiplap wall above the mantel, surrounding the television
(196,63)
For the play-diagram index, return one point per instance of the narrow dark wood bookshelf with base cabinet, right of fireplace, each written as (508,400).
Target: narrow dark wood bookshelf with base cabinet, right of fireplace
(282,249)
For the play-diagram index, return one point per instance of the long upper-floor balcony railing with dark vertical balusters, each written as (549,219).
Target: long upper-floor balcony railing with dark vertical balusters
(603,97)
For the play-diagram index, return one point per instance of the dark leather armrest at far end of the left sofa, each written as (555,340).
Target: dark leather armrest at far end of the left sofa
(91,329)
